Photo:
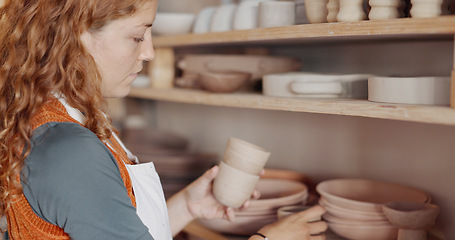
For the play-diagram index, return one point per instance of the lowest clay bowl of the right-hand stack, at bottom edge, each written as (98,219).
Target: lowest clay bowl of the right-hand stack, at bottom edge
(362,232)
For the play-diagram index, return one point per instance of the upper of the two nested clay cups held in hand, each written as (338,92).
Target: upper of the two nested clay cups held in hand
(245,156)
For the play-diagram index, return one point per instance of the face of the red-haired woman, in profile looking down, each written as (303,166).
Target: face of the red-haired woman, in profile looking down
(120,48)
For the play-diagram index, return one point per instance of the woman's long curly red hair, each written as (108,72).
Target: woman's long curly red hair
(41,53)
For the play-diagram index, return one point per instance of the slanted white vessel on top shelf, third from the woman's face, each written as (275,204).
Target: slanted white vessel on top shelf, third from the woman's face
(222,18)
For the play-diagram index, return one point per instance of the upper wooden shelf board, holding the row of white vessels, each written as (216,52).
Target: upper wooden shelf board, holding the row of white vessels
(402,28)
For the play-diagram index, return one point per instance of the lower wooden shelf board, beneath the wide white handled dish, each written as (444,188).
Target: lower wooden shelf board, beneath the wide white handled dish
(347,107)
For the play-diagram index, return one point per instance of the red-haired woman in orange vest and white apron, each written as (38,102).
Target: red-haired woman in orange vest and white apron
(64,174)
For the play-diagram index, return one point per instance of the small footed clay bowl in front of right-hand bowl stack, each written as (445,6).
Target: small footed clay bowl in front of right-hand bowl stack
(413,219)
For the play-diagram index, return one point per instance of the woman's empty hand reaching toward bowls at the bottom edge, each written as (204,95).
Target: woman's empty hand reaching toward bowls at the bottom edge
(297,226)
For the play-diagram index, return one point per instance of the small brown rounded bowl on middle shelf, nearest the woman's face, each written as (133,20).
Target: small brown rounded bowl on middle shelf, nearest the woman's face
(223,82)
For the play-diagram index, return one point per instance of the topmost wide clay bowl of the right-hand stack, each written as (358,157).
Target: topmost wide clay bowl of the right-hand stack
(367,195)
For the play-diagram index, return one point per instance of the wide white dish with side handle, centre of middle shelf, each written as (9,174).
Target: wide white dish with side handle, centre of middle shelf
(315,85)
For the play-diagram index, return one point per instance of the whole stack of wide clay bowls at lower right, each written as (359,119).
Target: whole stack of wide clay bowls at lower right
(354,206)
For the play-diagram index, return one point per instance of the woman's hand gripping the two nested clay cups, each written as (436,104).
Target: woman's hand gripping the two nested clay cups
(202,203)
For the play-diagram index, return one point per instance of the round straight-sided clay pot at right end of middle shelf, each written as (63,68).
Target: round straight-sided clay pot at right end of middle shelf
(410,90)
